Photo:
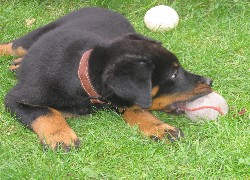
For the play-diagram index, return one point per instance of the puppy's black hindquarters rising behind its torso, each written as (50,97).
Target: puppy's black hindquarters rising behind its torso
(98,21)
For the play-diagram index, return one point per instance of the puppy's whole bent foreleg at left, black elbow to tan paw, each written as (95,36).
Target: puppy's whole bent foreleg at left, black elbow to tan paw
(49,124)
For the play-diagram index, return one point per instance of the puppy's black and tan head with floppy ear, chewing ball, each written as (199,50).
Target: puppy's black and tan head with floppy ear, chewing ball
(141,71)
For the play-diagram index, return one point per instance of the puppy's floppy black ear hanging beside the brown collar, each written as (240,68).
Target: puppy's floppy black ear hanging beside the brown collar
(131,80)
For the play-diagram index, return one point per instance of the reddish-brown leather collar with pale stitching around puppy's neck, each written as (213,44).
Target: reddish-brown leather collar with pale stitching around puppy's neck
(83,74)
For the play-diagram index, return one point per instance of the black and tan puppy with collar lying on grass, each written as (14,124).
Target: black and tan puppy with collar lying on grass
(92,57)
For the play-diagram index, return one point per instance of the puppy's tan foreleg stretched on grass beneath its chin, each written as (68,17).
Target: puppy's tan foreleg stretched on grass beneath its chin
(151,126)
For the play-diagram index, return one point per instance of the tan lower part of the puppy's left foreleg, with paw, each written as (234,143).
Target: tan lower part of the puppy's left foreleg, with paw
(52,129)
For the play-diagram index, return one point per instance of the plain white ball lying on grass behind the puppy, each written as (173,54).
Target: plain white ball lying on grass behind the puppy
(161,18)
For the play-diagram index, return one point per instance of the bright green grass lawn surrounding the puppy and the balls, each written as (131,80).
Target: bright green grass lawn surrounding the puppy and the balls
(211,39)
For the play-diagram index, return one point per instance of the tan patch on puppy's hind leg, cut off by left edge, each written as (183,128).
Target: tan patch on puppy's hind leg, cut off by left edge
(7,49)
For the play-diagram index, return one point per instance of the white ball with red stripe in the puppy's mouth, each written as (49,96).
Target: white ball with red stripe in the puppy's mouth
(208,107)
